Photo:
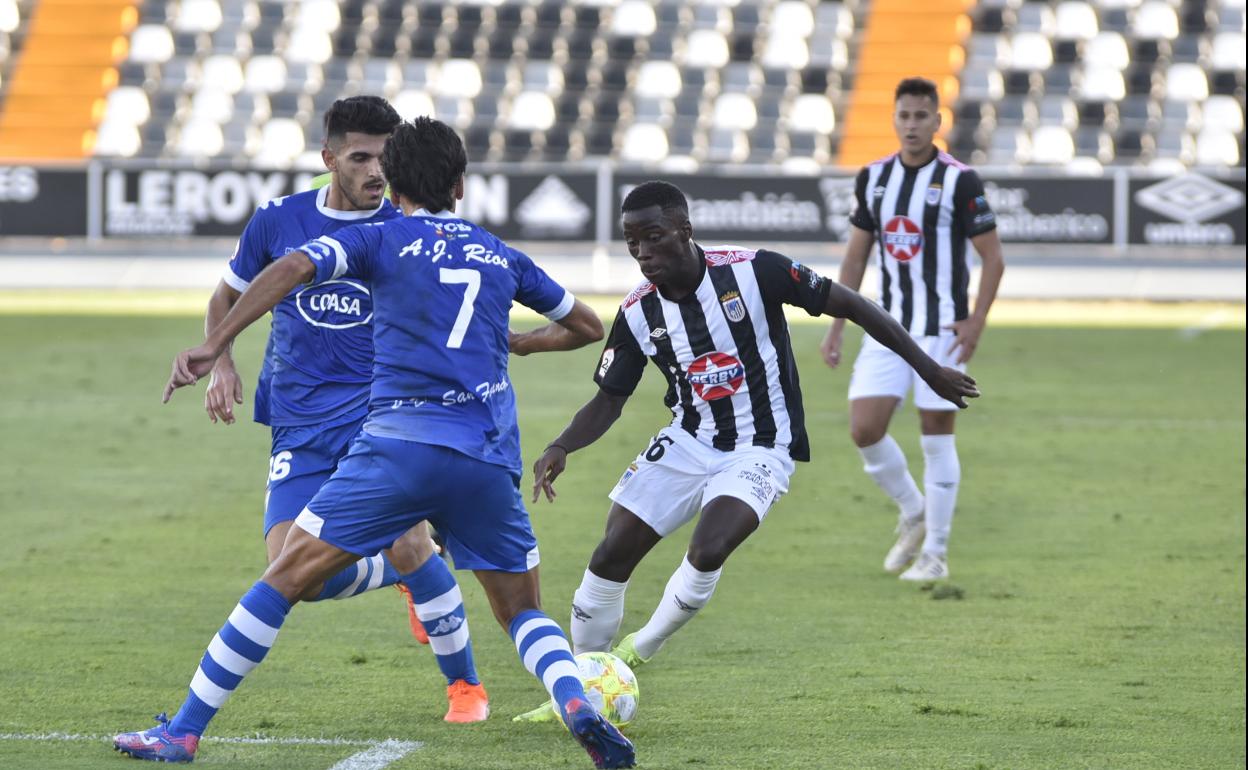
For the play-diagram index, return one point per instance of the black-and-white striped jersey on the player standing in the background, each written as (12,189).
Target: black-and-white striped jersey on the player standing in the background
(922,220)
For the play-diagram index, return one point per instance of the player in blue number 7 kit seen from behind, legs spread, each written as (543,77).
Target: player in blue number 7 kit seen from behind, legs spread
(441,442)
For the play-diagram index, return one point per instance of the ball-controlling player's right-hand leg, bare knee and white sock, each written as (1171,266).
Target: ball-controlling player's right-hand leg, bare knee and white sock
(724,525)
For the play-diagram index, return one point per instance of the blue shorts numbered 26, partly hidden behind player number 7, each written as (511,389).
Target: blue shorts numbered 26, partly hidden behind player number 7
(303,460)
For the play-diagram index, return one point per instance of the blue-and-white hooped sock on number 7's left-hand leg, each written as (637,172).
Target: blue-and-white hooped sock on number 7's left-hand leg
(238,648)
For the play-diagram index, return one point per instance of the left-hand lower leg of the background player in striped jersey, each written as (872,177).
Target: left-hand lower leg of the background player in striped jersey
(885,464)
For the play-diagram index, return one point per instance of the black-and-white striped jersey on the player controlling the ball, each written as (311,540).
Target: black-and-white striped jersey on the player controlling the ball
(724,350)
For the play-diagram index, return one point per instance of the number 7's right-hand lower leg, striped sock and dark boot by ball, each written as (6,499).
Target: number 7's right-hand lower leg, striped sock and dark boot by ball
(546,655)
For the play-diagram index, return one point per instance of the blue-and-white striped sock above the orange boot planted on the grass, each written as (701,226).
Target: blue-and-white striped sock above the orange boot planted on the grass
(441,608)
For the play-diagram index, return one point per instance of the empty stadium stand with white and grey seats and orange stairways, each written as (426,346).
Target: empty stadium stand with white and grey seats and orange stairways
(798,84)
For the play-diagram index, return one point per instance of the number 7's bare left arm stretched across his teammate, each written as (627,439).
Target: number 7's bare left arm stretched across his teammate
(266,291)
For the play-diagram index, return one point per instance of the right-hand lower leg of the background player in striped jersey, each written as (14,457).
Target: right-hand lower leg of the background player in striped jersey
(943,474)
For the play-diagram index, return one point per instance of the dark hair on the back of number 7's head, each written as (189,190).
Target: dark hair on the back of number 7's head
(424,160)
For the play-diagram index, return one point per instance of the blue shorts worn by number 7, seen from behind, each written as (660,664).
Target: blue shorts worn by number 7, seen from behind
(386,486)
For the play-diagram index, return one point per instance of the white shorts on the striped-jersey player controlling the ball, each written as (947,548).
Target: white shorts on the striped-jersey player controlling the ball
(677,476)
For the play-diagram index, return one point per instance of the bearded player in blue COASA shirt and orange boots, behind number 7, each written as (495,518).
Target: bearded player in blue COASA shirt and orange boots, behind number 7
(314,385)
